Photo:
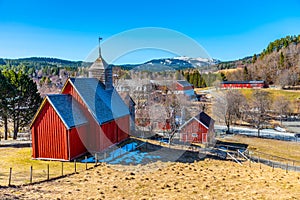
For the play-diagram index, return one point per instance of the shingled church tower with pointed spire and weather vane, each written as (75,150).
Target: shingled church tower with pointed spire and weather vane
(102,71)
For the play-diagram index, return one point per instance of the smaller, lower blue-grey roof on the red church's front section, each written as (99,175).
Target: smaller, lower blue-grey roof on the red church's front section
(68,110)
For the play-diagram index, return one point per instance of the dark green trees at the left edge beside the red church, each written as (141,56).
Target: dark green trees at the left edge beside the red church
(19,101)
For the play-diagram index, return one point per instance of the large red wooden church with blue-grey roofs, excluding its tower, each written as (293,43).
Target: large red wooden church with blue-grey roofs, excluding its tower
(86,116)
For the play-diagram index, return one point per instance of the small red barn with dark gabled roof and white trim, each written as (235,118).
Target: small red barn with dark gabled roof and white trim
(198,129)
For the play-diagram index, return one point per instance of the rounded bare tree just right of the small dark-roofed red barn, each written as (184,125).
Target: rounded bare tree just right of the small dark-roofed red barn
(228,106)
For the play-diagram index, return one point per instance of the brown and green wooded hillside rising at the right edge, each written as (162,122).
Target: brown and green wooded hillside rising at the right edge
(278,63)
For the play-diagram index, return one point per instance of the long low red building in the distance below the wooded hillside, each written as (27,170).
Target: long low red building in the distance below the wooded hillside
(243,84)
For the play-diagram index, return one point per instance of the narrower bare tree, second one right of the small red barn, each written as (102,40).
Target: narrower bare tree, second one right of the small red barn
(260,106)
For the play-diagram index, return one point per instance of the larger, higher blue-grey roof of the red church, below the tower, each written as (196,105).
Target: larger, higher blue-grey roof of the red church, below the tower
(104,105)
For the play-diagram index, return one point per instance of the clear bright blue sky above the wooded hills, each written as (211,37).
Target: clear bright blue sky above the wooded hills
(70,29)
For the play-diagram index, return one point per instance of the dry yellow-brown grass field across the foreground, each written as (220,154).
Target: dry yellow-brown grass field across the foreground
(207,179)
